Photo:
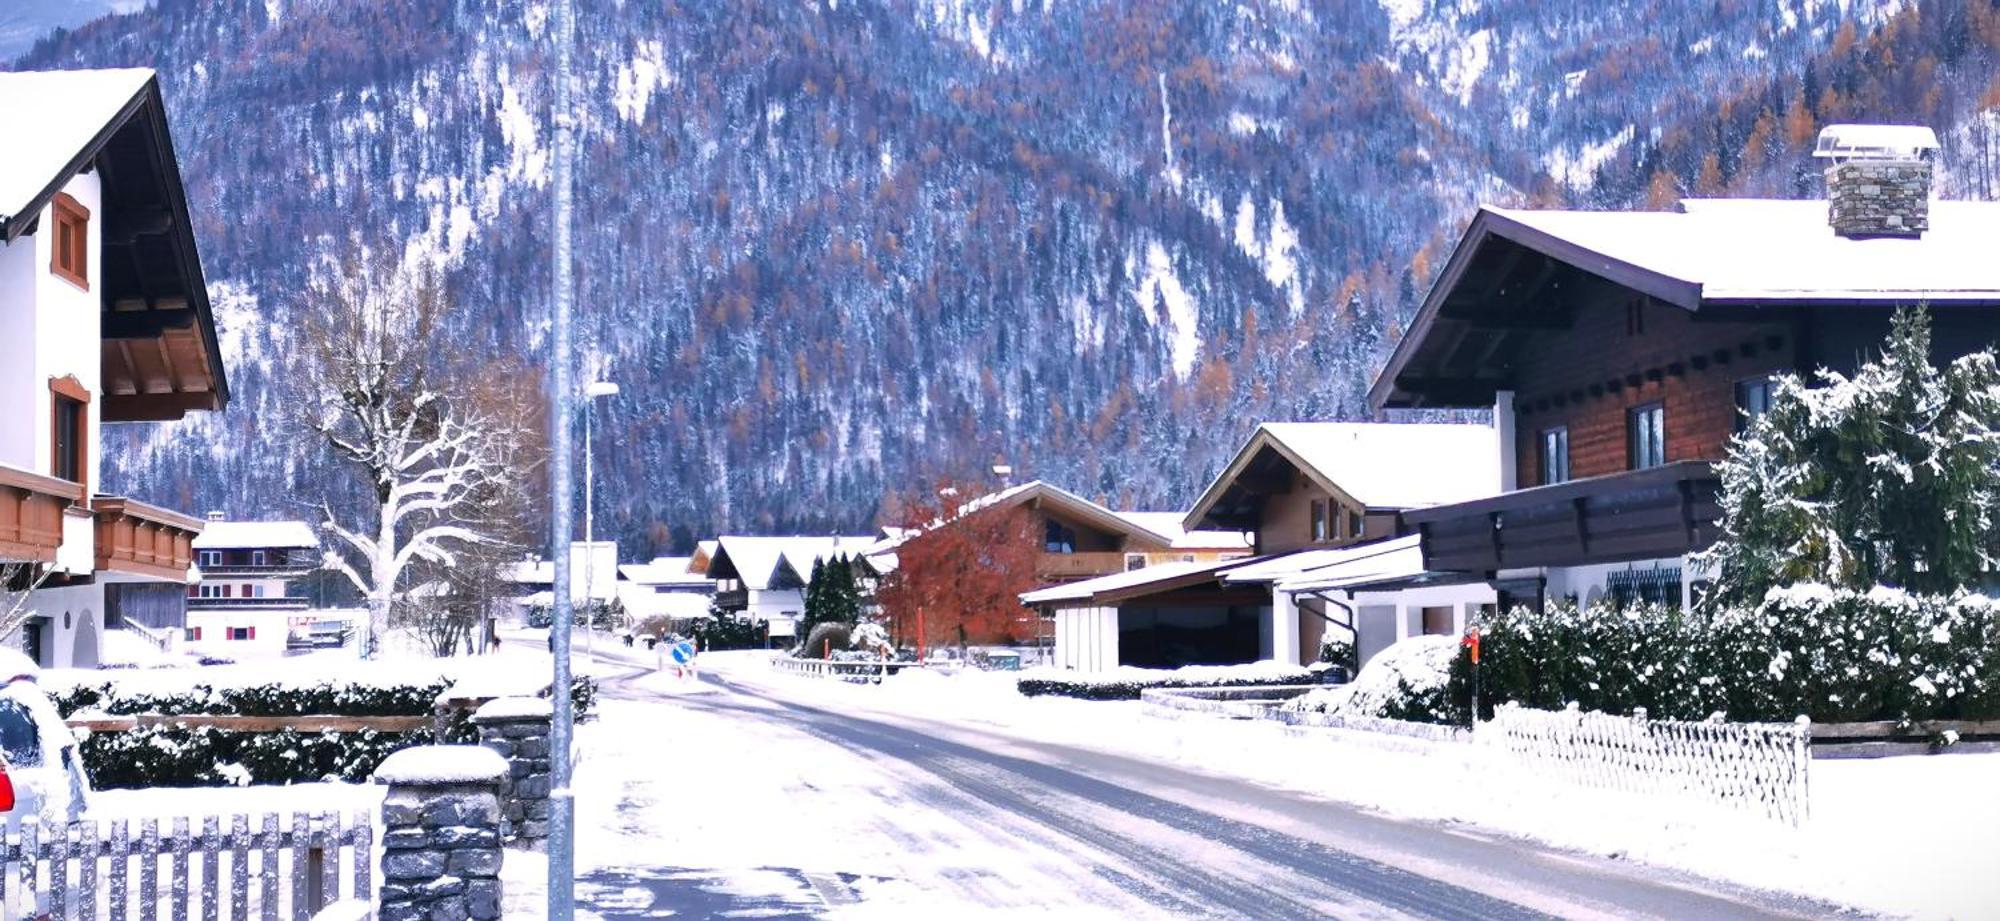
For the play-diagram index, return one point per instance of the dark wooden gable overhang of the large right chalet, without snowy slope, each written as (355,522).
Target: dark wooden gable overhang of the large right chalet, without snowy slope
(1503,279)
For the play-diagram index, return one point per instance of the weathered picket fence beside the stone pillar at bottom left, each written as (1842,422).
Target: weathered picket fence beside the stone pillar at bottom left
(73,872)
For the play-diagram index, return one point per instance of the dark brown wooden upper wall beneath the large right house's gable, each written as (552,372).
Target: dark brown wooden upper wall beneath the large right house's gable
(1583,377)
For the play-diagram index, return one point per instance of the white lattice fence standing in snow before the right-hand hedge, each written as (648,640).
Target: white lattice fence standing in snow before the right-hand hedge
(1757,768)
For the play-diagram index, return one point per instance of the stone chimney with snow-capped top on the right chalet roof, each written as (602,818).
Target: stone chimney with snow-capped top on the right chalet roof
(1877,179)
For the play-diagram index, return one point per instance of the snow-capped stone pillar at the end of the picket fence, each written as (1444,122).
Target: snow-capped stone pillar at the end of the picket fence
(441,834)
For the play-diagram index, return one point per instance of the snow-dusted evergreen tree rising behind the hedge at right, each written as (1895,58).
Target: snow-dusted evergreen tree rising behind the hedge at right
(1879,480)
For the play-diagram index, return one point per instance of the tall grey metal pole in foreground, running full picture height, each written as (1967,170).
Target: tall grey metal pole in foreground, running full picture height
(563,393)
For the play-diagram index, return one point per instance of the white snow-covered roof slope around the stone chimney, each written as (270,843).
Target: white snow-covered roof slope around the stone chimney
(1757,249)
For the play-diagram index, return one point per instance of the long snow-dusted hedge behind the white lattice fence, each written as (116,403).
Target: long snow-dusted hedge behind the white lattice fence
(1827,654)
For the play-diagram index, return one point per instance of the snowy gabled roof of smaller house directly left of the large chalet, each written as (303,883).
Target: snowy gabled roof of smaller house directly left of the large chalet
(1375,466)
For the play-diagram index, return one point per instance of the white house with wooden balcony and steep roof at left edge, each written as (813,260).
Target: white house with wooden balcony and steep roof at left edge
(103,319)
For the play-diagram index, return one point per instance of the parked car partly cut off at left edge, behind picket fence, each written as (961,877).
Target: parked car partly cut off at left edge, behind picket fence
(41,766)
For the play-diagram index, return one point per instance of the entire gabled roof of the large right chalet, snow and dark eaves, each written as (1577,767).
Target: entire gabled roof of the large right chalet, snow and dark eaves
(1709,253)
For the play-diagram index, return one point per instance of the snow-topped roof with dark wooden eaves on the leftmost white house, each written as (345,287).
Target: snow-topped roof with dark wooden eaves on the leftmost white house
(61,123)
